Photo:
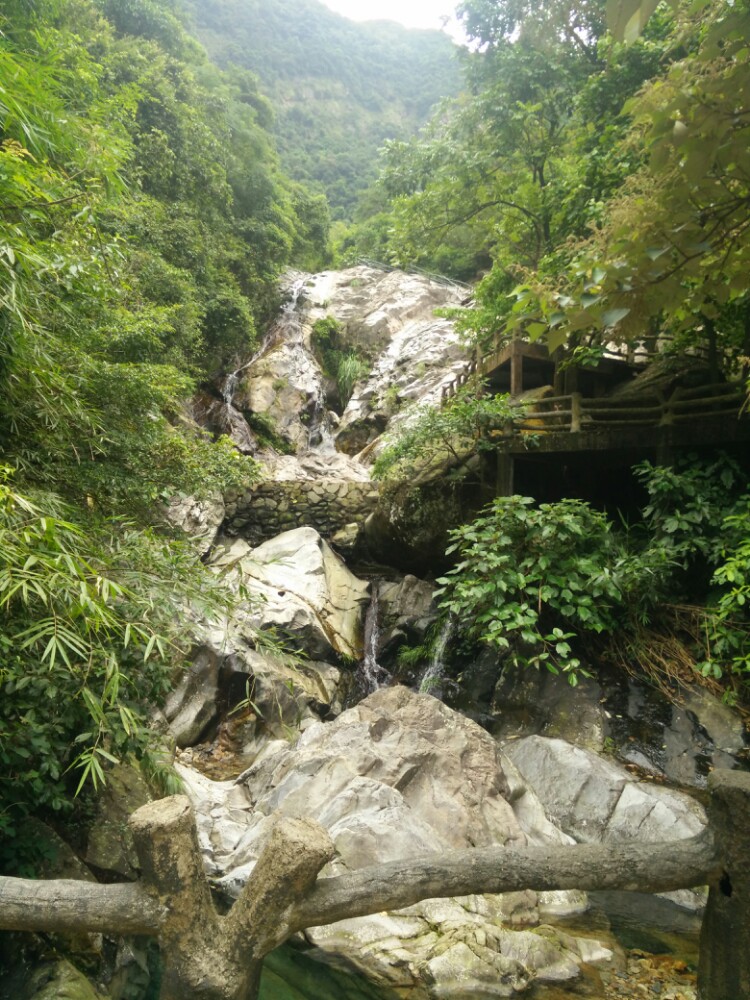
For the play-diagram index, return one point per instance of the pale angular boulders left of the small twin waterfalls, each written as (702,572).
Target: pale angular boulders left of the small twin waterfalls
(240,686)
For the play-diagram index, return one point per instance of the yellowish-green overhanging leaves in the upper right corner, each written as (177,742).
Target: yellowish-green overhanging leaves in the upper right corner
(671,246)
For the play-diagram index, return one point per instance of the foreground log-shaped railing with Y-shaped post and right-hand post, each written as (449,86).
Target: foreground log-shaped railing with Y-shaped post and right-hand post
(215,957)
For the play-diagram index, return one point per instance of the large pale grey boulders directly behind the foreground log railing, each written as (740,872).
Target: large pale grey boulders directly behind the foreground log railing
(402,775)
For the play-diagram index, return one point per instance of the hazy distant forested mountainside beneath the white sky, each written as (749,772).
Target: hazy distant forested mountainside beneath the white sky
(339,88)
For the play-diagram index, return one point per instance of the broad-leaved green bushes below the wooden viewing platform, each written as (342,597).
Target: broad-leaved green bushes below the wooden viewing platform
(540,582)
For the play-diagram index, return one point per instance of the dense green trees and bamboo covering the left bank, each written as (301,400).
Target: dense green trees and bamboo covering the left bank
(143,223)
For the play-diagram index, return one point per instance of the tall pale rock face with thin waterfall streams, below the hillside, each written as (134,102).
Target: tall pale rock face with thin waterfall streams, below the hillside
(386,317)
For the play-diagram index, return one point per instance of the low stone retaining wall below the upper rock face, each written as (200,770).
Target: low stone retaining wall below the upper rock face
(324,504)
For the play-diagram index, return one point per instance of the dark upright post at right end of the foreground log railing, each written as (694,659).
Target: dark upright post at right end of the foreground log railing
(724,964)
